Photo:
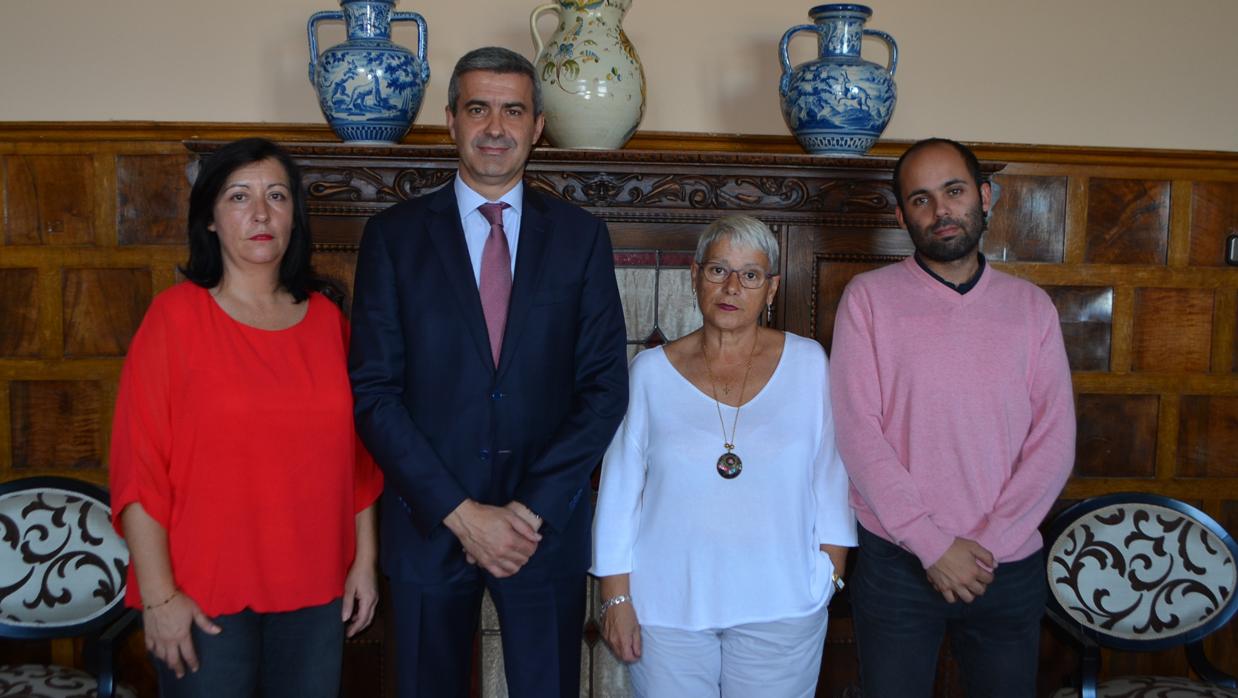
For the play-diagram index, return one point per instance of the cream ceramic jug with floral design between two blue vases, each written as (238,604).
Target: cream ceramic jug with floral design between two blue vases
(592,82)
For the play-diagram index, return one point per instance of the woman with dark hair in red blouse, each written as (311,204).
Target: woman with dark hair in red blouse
(237,476)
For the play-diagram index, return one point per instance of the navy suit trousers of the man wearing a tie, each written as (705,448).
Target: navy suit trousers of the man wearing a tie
(542,626)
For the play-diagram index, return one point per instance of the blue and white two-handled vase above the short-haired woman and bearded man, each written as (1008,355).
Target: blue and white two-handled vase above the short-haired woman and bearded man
(840,103)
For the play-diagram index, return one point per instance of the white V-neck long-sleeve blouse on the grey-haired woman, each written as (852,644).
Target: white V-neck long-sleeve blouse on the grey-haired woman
(708,553)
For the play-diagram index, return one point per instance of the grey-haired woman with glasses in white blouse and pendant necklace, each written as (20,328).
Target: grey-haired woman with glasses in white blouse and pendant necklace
(722,524)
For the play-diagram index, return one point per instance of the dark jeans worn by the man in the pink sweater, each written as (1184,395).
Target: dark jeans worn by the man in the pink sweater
(901,622)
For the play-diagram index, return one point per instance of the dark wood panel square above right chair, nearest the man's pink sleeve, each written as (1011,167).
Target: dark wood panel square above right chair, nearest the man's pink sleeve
(1117,436)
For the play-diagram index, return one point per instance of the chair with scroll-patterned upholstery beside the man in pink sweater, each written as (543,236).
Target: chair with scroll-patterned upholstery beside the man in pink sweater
(1141,572)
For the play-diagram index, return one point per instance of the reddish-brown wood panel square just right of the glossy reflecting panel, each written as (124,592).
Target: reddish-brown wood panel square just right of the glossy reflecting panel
(1173,330)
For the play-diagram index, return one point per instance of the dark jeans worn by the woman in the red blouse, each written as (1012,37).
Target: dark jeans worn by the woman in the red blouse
(295,655)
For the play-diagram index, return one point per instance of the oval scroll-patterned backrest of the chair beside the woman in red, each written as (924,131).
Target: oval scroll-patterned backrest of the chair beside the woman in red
(63,566)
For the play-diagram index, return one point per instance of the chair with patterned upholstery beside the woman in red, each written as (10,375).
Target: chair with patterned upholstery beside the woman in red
(63,575)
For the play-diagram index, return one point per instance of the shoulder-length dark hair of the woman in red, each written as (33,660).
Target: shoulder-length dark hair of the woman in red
(206,265)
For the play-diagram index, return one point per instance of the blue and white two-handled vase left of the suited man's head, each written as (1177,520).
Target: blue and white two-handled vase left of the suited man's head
(368,87)
